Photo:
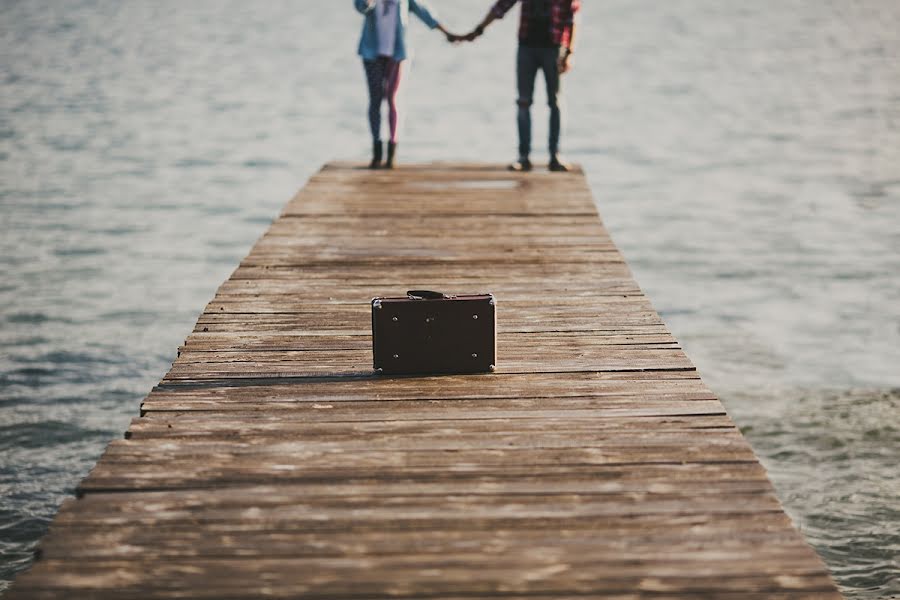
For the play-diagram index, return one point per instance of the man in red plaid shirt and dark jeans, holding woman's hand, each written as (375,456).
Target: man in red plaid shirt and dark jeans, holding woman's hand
(546,39)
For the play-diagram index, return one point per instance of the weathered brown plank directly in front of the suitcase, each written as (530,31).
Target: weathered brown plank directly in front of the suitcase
(522,392)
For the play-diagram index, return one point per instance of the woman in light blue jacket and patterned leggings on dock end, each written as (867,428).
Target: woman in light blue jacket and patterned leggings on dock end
(383,50)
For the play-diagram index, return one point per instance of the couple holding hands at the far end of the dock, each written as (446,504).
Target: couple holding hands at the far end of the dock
(546,37)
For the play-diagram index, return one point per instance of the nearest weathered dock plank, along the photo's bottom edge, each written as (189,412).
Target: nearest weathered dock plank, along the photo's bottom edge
(412,577)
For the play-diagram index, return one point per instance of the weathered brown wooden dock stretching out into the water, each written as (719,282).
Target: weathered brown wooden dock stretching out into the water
(271,461)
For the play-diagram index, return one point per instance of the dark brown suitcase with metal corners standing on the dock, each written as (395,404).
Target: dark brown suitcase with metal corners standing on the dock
(429,332)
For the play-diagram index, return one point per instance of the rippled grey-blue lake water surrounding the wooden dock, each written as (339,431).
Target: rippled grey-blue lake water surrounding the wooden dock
(745,156)
